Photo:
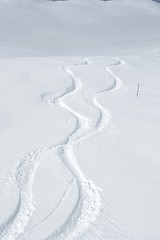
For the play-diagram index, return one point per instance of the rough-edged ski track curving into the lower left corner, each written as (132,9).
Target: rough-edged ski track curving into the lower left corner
(25,172)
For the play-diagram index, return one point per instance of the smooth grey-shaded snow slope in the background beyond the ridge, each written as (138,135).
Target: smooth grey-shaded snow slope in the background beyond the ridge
(46,28)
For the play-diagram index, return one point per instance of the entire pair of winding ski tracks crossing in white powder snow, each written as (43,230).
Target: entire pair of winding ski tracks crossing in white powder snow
(89,203)
